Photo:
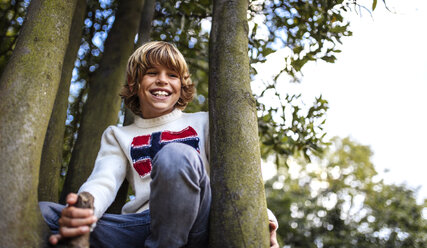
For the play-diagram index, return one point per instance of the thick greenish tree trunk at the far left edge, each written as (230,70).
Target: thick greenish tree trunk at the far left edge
(27,92)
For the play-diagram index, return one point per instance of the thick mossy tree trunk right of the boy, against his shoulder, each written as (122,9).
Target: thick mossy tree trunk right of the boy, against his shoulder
(238,214)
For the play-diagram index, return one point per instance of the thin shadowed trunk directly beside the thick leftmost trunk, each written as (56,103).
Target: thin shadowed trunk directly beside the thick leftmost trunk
(50,164)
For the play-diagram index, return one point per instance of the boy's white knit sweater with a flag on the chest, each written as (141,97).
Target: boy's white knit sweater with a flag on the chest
(127,152)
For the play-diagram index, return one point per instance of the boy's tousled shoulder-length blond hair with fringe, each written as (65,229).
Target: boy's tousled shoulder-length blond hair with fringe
(147,56)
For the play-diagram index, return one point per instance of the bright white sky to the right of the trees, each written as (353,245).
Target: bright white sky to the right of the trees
(376,89)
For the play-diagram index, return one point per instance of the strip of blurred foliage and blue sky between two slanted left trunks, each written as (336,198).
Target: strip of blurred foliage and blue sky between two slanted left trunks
(98,21)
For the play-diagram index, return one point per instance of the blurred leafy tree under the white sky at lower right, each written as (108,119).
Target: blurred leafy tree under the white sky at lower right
(339,200)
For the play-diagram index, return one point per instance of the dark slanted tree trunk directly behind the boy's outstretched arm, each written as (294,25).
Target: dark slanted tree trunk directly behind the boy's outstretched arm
(103,101)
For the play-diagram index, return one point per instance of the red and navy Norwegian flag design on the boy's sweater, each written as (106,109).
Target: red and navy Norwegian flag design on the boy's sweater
(145,147)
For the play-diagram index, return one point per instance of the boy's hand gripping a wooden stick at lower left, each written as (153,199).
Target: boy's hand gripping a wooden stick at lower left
(74,221)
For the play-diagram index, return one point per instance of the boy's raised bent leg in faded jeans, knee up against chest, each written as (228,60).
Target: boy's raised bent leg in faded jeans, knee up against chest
(180,198)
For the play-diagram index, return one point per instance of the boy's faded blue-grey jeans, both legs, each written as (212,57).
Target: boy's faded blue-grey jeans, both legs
(180,201)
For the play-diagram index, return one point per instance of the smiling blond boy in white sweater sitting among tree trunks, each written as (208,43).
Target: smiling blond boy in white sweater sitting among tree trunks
(164,156)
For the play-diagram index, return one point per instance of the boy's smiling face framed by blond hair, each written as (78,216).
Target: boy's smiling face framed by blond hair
(159,91)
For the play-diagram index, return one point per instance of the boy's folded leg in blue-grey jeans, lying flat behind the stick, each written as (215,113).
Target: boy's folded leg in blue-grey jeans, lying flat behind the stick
(112,230)
